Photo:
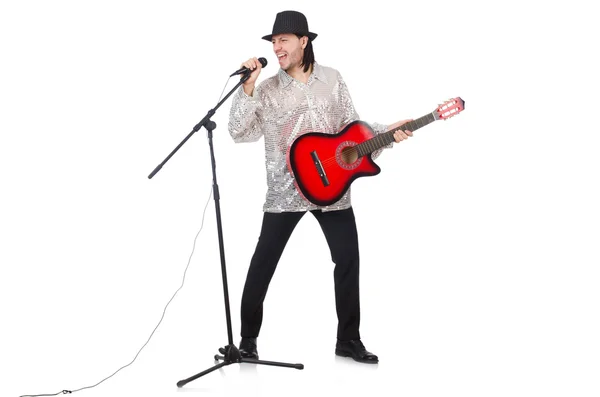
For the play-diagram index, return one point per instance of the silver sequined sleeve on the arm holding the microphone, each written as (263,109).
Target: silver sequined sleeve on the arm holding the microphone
(245,116)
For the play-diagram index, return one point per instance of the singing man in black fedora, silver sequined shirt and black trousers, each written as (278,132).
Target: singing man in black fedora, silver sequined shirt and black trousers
(302,97)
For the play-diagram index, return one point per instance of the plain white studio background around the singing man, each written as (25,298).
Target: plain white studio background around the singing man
(479,239)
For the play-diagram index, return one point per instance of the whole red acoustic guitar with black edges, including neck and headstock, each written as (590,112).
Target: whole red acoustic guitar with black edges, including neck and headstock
(325,165)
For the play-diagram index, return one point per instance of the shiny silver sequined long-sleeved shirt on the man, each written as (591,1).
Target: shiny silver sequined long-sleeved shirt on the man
(283,108)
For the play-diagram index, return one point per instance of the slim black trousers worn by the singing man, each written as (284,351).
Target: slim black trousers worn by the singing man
(339,228)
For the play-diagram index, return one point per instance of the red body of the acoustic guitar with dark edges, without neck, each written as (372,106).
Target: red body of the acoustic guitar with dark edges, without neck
(339,166)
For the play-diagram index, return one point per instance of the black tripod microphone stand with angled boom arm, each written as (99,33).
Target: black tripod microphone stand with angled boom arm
(230,353)
